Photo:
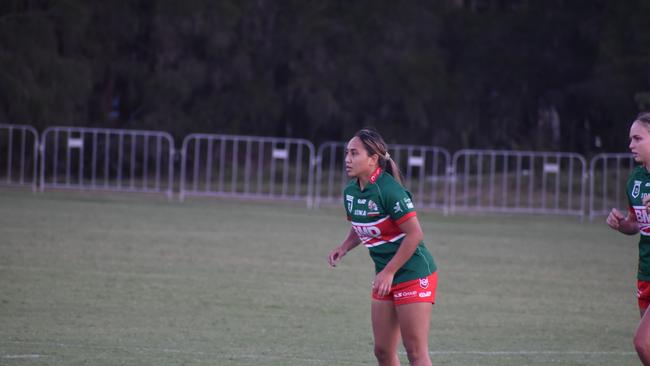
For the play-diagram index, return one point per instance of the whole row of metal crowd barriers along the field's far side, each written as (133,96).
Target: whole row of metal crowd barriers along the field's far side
(283,168)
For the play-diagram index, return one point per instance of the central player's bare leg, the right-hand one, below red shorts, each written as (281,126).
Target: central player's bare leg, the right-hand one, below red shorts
(414,324)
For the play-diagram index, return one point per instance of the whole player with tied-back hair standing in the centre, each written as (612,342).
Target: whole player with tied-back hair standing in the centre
(383,219)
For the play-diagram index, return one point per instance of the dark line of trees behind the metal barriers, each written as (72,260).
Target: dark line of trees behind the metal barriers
(503,74)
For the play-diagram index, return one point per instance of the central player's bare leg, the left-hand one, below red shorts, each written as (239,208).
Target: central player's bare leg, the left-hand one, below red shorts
(385,329)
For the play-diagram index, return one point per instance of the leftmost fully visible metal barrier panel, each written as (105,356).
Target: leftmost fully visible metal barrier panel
(107,159)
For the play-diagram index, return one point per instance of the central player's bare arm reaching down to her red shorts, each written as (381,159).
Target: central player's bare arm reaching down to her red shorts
(384,279)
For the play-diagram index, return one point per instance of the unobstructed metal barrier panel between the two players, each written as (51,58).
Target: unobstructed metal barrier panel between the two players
(519,182)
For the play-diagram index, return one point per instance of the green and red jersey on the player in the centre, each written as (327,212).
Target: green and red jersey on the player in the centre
(376,213)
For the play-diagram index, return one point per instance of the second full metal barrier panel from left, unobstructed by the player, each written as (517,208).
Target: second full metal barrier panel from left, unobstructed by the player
(247,166)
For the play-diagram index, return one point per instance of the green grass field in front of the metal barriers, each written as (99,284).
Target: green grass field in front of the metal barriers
(103,279)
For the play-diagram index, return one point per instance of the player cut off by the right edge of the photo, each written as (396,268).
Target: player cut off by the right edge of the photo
(638,220)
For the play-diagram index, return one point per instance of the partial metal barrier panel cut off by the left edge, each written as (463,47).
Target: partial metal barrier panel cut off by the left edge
(18,155)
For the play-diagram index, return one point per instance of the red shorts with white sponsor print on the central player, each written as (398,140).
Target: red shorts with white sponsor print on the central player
(419,290)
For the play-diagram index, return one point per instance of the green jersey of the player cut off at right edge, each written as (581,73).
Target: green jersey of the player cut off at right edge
(638,187)
